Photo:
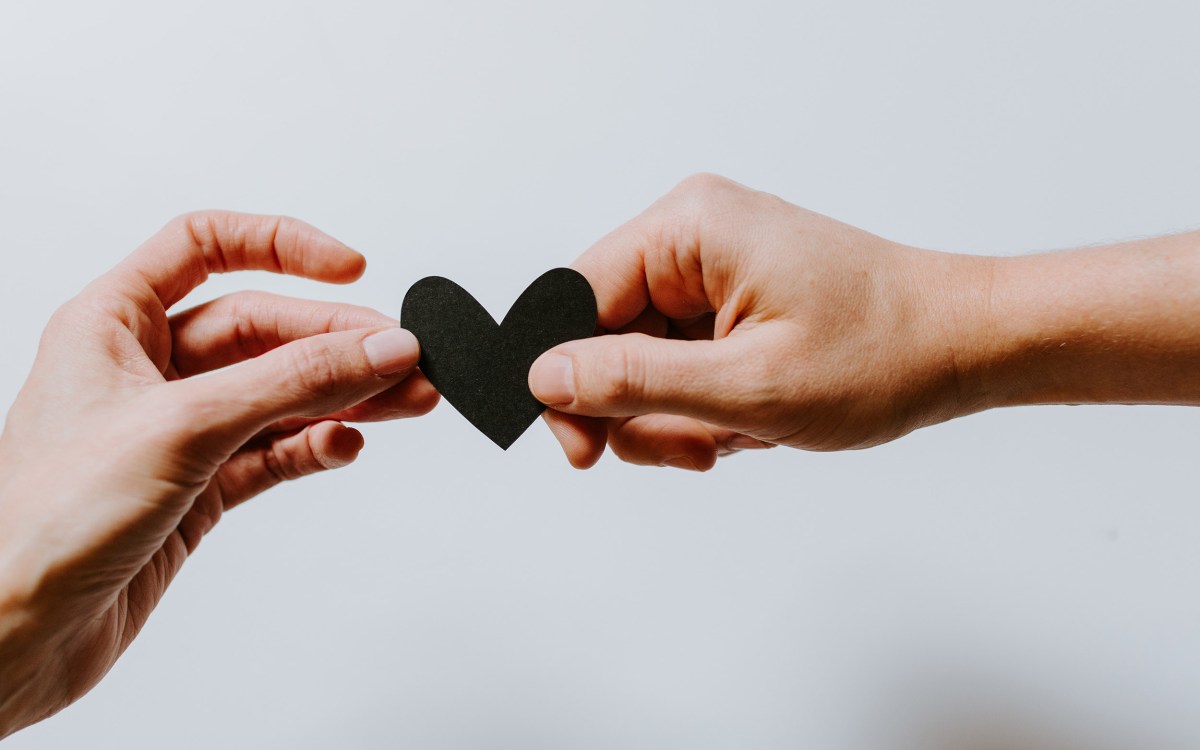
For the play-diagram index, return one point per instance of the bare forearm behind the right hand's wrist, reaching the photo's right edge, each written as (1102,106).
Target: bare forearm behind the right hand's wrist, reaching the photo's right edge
(1115,325)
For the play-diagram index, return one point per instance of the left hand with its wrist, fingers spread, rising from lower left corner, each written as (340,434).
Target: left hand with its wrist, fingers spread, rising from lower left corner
(116,460)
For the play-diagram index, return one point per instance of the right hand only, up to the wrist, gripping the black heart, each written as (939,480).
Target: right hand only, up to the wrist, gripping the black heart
(741,321)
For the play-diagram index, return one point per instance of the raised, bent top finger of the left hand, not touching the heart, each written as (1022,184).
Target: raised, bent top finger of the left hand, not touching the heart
(182,256)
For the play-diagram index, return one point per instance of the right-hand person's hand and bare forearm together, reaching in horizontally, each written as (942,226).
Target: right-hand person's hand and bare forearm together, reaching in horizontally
(740,321)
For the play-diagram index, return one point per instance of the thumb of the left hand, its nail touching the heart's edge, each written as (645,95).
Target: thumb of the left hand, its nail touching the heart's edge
(311,377)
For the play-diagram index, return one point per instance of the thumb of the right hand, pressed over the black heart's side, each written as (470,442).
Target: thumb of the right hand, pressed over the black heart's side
(629,375)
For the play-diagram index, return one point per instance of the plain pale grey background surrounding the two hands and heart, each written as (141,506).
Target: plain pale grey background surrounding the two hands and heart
(1033,572)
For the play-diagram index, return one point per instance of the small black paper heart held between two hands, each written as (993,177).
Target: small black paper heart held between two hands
(483,369)
